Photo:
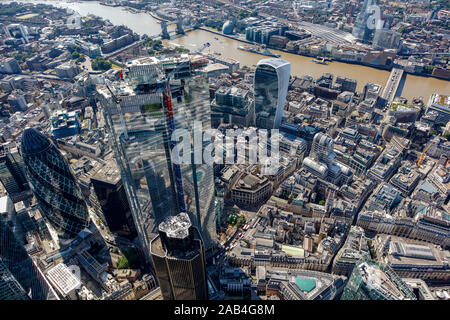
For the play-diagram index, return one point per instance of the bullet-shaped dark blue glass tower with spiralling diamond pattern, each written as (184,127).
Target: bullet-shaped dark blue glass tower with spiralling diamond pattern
(53,184)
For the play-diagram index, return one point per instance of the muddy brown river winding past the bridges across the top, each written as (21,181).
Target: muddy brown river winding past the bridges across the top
(143,23)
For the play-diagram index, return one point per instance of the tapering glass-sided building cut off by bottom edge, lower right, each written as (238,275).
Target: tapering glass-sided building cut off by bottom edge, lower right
(371,281)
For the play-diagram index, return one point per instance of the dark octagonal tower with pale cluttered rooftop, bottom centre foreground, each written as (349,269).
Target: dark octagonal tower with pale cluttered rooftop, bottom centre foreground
(179,259)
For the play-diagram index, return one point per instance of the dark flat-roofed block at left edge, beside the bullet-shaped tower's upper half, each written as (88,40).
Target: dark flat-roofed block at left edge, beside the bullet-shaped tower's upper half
(12,174)
